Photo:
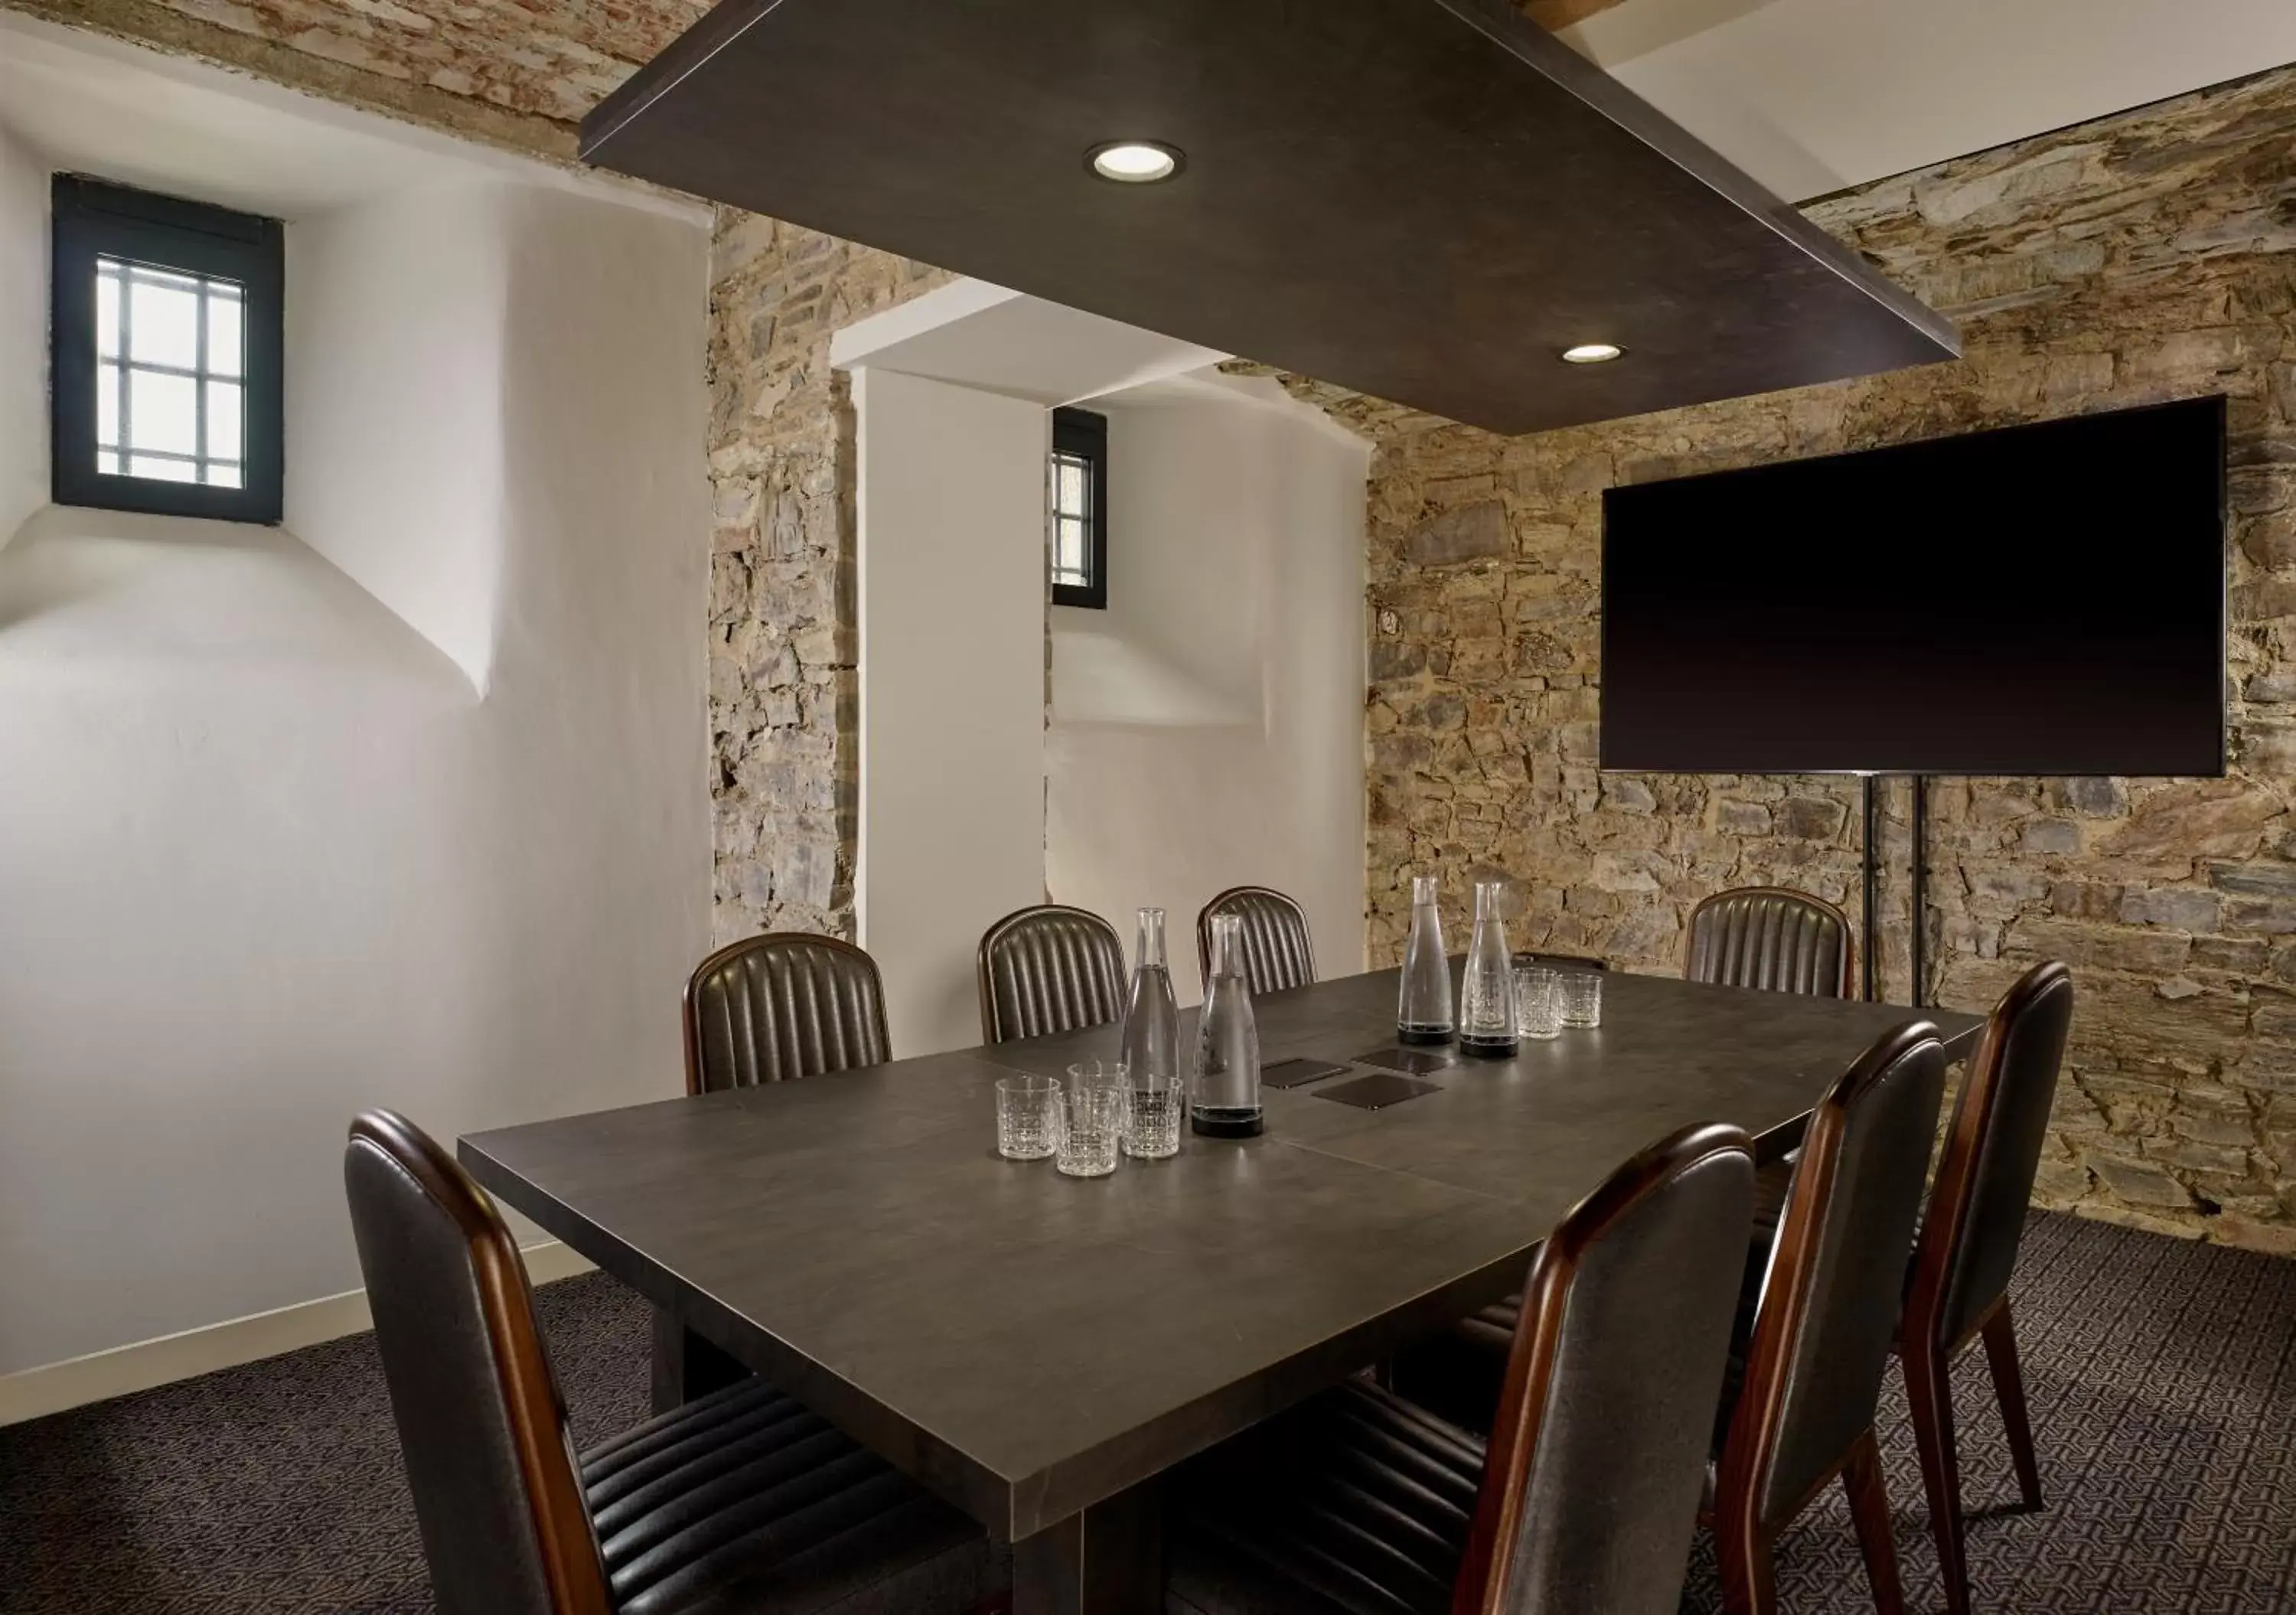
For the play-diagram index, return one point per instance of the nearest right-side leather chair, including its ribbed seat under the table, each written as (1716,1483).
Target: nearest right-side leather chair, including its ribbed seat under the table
(1588,1492)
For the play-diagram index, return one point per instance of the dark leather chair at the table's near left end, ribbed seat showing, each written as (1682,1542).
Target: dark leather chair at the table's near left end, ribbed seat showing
(740,1504)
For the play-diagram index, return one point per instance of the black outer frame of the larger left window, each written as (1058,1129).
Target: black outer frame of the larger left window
(98,219)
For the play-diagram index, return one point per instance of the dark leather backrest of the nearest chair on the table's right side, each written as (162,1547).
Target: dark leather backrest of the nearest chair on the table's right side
(1599,1453)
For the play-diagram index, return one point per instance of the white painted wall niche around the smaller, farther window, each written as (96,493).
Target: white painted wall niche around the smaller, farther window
(1204,732)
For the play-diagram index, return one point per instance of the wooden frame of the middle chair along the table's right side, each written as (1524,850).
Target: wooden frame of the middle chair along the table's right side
(1744,1543)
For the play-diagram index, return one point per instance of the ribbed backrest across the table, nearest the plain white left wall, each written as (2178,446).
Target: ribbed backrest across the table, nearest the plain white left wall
(779,1007)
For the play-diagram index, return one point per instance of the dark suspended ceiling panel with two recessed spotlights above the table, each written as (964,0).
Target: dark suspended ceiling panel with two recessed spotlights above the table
(1422,201)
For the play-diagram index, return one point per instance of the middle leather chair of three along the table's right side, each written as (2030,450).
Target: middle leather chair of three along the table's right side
(1804,1407)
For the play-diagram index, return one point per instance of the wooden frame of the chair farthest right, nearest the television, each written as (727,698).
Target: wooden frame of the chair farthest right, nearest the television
(1927,1361)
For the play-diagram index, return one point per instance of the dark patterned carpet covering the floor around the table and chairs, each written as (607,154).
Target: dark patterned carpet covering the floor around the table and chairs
(2162,1377)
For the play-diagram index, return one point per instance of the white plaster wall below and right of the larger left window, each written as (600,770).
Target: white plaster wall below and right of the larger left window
(265,851)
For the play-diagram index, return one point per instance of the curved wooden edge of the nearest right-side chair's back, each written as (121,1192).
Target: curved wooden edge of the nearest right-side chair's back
(1530,1363)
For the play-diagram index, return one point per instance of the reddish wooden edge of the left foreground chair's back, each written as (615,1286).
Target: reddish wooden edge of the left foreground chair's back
(561,1515)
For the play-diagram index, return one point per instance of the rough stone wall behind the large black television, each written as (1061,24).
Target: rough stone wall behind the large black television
(2141,258)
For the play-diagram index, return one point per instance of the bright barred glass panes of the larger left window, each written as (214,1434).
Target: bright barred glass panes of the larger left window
(169,366)
